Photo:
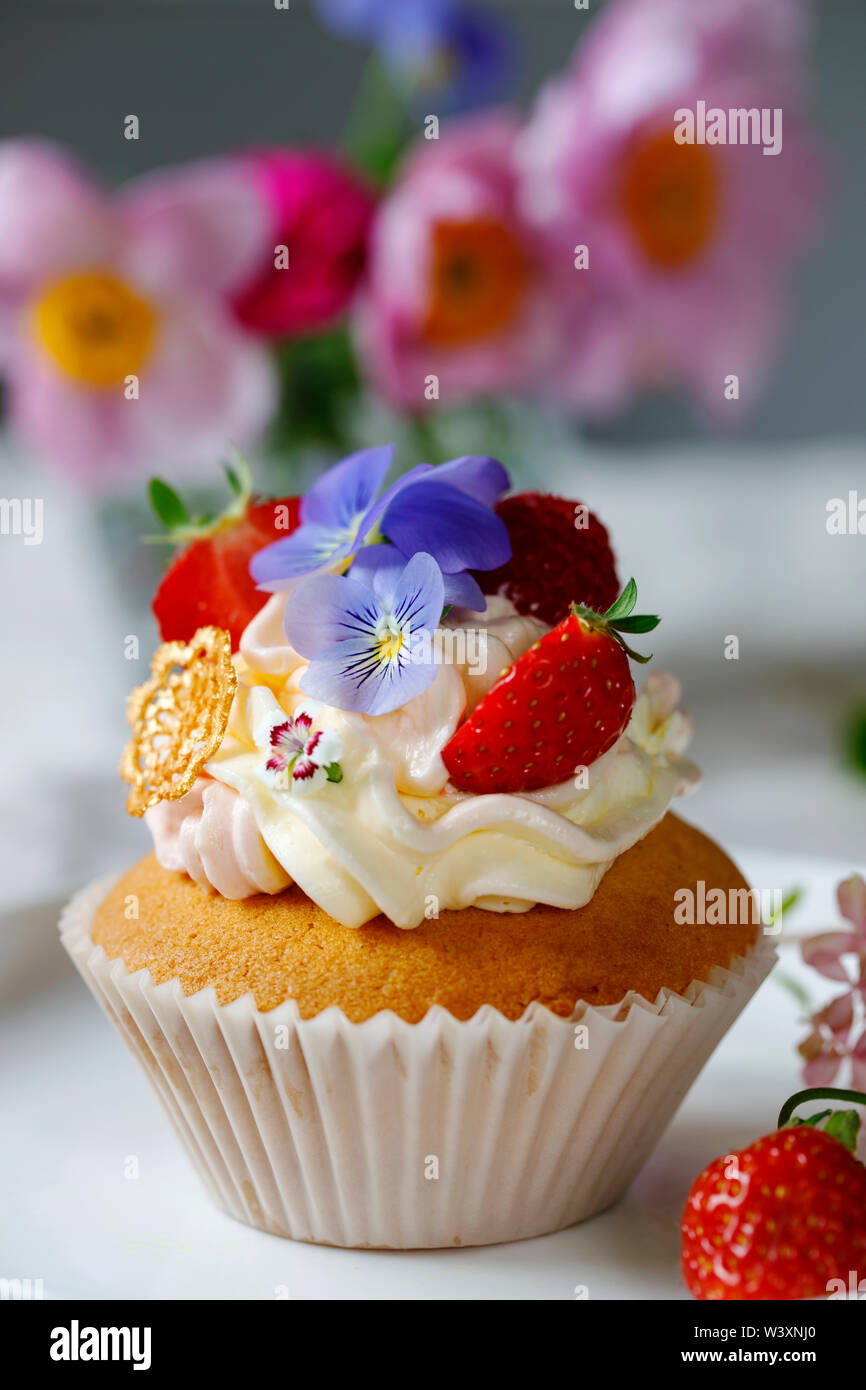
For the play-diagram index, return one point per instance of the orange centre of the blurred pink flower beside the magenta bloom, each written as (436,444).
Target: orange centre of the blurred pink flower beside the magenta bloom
(479,276)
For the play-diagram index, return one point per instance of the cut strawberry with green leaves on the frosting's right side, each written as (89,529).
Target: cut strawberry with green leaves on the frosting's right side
(561,705)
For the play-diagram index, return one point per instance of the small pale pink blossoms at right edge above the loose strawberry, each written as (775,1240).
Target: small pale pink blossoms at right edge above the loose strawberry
(839,1031)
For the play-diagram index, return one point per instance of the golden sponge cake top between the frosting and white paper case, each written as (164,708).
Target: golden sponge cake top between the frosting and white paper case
(286,947)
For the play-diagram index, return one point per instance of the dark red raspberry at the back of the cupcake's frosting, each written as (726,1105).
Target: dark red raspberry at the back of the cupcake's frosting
(561,555)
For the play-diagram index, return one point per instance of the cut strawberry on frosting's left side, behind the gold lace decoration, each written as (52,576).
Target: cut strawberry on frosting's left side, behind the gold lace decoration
(209,583)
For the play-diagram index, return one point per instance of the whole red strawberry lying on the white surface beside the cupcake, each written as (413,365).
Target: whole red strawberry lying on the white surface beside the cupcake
(785,1217)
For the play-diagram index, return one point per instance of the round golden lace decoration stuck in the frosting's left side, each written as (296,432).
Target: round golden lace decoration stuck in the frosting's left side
(179,718)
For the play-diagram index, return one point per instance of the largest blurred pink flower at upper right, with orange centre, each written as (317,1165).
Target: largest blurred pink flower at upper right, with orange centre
(689,243)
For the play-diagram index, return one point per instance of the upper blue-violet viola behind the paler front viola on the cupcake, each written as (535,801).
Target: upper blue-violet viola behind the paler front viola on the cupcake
(446,512)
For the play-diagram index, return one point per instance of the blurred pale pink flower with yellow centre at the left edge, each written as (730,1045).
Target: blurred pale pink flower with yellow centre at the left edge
(108,295)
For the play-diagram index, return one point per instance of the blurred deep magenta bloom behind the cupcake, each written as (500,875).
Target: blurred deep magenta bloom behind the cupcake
(320,212)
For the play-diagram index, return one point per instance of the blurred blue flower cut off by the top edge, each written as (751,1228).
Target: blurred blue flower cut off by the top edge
(459,55)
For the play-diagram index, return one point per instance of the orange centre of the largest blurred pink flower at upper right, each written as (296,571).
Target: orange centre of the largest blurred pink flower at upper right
(669,195)
